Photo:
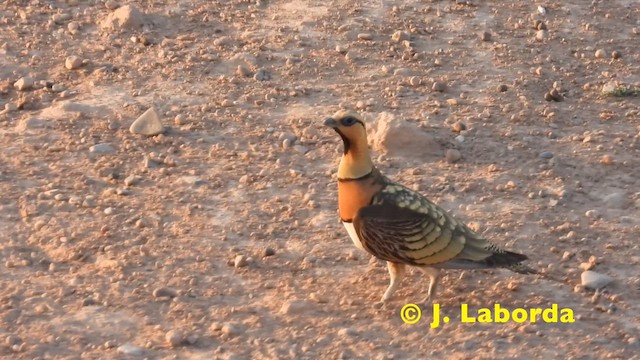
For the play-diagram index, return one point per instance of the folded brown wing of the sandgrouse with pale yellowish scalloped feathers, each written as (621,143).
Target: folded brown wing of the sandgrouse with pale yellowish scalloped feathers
(402,226)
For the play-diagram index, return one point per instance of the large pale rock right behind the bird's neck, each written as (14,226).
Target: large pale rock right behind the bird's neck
(396,137)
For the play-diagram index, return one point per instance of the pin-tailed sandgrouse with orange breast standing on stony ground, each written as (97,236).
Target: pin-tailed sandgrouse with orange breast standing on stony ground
(396,224)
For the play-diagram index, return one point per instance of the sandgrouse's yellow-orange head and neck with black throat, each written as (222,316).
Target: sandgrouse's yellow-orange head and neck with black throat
(356,161)
